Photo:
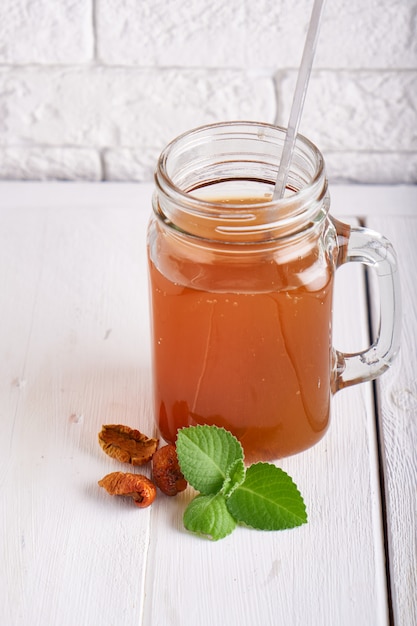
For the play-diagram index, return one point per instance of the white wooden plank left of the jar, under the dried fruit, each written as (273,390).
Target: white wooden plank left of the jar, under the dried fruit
(74,331)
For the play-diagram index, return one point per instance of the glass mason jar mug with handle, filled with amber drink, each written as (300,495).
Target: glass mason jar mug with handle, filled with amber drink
(241,290)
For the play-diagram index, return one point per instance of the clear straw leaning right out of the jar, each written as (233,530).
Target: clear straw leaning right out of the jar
(299,97)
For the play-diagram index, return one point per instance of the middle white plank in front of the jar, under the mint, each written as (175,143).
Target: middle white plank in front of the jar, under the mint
(329,572)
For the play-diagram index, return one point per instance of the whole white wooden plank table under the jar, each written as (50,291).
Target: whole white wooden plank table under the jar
(74,354)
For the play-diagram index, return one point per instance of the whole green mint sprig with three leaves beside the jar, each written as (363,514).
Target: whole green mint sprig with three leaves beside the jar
(261,496)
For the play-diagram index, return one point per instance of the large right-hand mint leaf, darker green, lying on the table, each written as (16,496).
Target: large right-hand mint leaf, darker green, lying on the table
(267,499)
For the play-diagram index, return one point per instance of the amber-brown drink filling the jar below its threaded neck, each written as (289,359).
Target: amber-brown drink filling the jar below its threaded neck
(254,360)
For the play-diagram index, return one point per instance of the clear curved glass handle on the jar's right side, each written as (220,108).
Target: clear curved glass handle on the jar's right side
(362,245)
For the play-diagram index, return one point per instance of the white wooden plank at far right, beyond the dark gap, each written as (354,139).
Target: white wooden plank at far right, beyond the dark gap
(397,393)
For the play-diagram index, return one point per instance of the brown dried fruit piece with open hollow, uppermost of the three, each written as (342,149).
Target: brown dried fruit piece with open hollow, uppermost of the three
(126,444)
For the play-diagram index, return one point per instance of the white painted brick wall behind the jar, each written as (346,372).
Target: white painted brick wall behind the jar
(94,89)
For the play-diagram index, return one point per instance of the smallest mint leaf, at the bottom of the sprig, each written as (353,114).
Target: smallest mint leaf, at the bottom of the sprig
(208,515)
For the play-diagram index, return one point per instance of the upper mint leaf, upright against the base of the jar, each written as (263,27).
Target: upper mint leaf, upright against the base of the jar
(205,454)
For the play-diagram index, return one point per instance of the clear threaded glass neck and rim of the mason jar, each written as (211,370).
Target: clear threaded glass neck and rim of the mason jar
(238,153)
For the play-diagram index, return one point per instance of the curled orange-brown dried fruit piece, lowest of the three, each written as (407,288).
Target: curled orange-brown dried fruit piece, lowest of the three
(136,486)
